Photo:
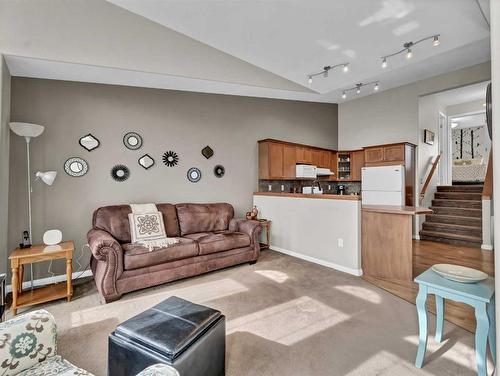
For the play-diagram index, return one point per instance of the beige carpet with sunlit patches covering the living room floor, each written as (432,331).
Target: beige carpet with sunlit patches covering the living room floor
(284,316)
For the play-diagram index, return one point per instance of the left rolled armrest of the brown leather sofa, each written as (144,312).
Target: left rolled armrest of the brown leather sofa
(109,254)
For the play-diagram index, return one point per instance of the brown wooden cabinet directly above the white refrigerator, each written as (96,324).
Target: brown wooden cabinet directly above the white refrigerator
(392,154)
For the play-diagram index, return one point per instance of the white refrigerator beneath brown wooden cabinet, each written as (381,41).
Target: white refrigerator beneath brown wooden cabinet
(383,185)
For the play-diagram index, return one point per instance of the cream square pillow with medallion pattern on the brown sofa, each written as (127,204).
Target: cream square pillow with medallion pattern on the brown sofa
(144,227)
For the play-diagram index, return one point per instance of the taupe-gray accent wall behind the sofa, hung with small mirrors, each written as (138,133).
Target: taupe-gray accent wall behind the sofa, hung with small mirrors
(167,120)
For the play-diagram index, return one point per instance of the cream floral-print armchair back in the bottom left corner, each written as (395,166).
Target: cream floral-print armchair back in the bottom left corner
(26,340)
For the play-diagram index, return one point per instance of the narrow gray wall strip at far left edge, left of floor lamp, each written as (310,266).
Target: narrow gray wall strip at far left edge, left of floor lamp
(4,160)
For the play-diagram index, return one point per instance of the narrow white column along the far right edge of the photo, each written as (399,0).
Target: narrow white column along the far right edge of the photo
(495,82)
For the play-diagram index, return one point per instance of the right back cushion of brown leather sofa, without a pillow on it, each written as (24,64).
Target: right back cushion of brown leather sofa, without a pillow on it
(194,218)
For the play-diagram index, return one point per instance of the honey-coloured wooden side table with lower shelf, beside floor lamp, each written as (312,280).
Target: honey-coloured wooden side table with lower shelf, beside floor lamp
(37,253)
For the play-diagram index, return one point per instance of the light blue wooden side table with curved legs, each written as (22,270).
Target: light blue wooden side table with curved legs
(479,295)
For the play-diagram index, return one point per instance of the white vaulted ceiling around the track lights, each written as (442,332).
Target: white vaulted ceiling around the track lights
(246,47)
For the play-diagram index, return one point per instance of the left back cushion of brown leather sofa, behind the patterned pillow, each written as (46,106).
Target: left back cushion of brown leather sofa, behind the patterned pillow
(114,220)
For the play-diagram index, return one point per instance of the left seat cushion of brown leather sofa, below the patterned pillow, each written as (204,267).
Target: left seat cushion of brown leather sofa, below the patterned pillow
(137,256)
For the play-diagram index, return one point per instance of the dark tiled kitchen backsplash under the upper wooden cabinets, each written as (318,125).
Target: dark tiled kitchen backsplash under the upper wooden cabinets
(288,186)
